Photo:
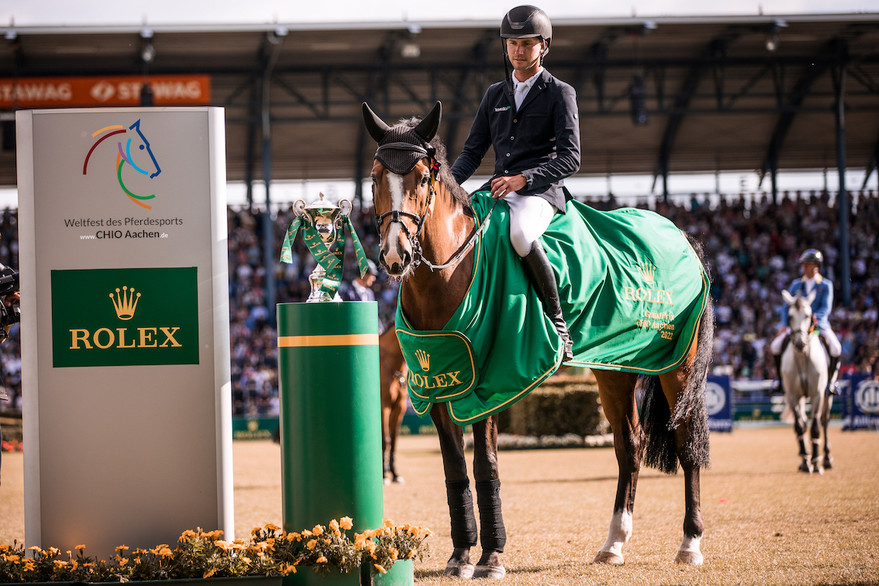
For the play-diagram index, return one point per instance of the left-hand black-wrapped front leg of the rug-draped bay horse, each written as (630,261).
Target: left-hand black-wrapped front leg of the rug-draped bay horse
(458,495)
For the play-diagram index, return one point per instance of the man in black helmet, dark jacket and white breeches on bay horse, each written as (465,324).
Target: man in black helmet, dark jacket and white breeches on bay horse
(531,120)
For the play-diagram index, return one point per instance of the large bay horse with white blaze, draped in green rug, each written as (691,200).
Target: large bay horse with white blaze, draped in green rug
(427,229)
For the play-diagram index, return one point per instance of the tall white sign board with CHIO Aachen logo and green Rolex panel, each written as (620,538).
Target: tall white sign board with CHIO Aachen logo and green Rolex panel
(125,329)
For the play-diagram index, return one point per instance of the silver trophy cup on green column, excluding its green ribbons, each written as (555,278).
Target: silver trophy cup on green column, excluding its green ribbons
(326,219)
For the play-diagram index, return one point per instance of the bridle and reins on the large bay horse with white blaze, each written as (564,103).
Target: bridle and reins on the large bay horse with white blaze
(397,216)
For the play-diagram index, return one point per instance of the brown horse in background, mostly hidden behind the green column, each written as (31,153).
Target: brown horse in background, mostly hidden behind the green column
(393,399)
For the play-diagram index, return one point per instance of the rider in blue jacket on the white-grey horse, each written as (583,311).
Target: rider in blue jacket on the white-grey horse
(822,305)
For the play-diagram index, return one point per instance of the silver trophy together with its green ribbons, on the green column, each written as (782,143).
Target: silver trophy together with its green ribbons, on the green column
(322,225)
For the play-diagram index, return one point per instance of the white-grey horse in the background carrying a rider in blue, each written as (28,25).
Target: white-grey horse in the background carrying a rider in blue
(804,376)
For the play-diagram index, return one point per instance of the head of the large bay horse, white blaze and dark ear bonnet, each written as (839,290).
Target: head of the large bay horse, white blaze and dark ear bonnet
(403,185)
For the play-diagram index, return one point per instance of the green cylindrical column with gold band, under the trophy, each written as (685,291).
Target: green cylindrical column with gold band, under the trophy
(328,362)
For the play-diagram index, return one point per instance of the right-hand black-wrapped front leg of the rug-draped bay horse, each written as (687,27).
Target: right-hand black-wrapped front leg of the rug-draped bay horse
(492,535)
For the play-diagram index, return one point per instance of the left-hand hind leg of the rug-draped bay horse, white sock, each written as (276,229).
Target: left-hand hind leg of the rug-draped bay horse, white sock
(617,393)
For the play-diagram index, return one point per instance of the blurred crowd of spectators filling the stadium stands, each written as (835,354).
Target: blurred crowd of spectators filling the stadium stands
(751,244)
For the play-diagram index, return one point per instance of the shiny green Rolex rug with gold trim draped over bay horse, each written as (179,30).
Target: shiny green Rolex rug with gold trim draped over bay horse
(632,291)
